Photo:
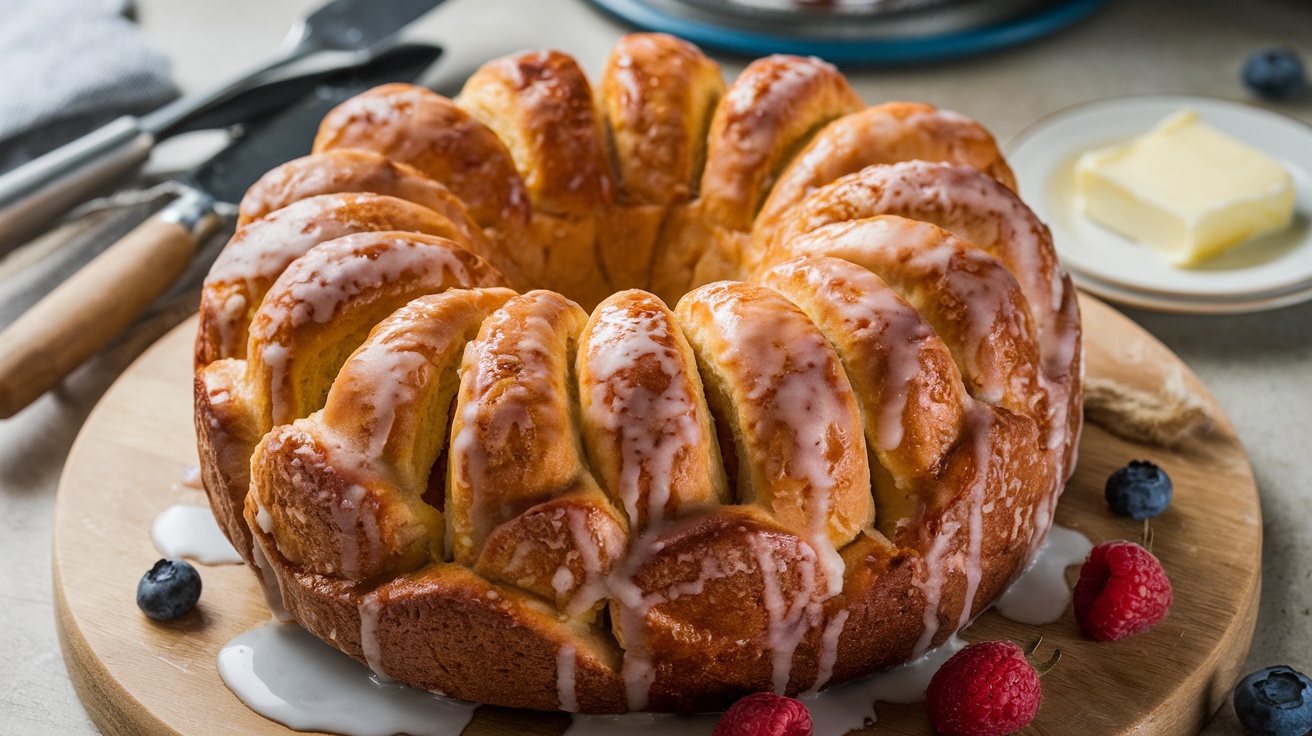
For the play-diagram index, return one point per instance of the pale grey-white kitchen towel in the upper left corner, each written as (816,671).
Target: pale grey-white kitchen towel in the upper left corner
(69,68)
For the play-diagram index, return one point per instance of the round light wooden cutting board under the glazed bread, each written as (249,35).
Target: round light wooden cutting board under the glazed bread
(142,678)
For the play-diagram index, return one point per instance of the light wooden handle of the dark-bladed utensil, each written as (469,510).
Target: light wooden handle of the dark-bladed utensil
(83,314)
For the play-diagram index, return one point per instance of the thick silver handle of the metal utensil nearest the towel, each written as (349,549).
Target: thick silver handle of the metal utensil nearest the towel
(41,191)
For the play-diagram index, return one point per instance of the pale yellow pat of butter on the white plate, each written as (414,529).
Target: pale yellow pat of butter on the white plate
(1185,188)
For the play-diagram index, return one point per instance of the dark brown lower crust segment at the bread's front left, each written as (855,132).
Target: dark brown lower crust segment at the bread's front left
(448,630)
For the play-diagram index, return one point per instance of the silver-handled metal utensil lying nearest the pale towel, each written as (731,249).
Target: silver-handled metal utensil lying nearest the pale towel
(43,190)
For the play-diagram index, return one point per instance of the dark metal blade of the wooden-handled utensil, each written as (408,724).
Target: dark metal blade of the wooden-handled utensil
(291,133)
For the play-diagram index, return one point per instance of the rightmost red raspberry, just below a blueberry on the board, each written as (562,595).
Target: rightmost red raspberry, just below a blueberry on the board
(1122,591)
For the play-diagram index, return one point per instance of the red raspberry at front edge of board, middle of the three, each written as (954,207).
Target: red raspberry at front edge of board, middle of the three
(986,689)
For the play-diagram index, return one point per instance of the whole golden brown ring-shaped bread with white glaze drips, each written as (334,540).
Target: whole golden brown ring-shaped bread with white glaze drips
(843,443)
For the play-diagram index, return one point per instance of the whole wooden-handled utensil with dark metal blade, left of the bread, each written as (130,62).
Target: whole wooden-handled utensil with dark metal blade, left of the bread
(83,314)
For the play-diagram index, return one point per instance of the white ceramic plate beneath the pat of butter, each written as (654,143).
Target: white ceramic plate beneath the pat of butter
(1275,270)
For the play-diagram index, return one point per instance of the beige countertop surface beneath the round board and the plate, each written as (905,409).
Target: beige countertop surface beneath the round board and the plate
(1259,367)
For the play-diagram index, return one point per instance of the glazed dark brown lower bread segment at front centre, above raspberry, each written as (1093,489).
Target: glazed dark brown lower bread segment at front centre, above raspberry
(718,607)
